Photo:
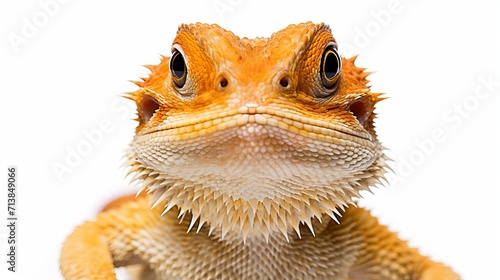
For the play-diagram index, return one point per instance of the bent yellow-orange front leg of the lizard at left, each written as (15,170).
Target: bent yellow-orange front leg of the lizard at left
(96,247)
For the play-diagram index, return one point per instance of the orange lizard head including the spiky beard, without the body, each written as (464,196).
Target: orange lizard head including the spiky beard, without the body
(254,136)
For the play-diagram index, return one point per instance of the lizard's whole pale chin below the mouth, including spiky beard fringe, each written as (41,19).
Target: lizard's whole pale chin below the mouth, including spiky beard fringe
(218,196)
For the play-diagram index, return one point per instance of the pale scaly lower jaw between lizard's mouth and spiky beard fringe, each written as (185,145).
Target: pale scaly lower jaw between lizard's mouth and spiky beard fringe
(257,160)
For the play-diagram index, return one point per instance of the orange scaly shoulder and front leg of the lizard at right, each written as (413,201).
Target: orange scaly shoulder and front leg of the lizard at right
(385,256)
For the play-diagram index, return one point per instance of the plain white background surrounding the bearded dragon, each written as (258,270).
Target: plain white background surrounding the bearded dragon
(63,77)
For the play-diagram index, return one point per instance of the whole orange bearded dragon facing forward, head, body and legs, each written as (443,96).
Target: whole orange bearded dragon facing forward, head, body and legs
(251,154)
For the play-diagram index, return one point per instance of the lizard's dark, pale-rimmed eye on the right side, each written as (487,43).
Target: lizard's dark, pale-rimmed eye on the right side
(330,67)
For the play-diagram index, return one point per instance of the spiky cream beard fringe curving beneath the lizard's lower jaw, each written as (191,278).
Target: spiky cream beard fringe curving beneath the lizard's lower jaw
(239,218)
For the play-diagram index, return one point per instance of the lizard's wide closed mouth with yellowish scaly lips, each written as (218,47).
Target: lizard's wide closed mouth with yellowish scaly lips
(285,120)
